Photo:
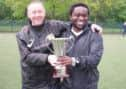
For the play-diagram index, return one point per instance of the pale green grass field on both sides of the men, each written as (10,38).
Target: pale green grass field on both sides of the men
(112,66)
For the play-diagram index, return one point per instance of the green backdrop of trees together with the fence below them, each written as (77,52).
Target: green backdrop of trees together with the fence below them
(107,13)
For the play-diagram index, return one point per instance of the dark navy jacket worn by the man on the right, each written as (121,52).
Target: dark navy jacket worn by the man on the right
(87,48)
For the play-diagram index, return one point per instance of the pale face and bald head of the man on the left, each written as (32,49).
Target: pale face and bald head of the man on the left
(36,13)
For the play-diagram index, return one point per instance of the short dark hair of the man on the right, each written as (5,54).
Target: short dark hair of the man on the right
(77,5)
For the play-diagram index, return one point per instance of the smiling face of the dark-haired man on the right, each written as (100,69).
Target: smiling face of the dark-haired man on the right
(79,17)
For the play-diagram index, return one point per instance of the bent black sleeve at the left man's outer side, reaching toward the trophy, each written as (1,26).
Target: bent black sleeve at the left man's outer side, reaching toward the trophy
(31,58)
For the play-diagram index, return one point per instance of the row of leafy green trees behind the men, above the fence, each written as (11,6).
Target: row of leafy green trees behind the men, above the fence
(100,10)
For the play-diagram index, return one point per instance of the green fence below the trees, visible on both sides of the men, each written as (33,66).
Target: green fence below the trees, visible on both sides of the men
(15,25)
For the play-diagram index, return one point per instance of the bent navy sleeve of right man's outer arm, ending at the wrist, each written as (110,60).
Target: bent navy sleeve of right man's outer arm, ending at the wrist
(95,53)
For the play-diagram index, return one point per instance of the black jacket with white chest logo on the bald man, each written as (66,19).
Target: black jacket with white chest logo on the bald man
(34,50)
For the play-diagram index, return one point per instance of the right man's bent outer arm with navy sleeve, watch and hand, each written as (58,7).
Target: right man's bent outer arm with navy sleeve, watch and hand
(89,61)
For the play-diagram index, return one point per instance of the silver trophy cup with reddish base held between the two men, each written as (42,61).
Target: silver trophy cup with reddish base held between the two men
(59,50)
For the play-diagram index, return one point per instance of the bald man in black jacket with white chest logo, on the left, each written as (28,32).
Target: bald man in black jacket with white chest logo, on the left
(35,50)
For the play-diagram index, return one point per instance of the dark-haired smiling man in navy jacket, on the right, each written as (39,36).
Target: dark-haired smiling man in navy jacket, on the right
(85,50)
